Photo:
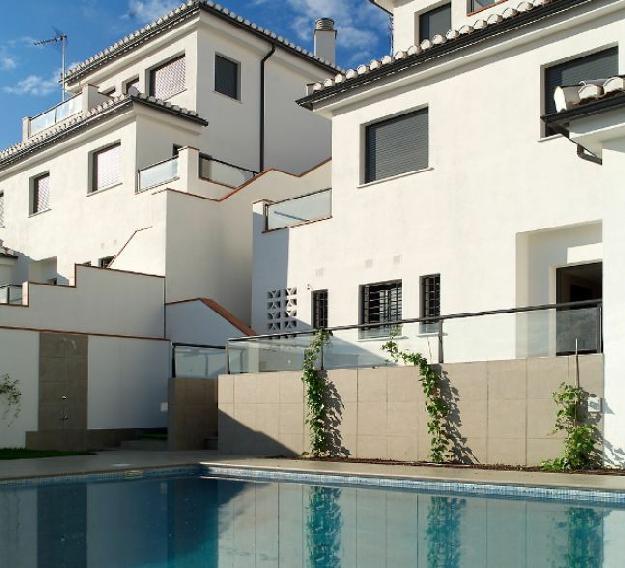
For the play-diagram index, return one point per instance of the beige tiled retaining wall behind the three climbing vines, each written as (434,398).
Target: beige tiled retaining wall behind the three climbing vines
(504,410)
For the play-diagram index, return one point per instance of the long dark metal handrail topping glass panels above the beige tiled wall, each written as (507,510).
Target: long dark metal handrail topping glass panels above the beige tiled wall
(436,319)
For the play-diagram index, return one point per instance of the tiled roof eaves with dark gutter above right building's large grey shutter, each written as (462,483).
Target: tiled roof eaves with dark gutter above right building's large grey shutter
(526,13)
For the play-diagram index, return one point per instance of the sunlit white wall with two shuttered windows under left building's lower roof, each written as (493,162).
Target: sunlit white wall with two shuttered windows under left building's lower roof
(95,224)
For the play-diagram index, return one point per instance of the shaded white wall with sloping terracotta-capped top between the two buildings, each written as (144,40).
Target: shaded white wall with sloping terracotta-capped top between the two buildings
(215,261)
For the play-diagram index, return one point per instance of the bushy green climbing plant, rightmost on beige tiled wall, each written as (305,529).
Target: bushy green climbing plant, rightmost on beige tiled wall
(581,437)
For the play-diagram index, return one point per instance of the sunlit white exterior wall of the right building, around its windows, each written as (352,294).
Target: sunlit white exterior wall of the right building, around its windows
(492,181)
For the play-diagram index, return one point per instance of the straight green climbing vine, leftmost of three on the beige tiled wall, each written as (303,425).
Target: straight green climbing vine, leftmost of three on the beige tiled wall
(316,396)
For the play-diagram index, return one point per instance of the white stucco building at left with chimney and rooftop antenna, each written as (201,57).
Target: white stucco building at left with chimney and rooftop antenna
(149,170)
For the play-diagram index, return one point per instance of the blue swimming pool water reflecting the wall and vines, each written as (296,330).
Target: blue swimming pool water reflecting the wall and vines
(190,521)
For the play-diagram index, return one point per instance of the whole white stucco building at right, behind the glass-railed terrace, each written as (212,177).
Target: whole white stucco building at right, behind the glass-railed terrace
(452,192)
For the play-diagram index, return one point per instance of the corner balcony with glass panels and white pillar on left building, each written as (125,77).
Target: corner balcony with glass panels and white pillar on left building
(195,173)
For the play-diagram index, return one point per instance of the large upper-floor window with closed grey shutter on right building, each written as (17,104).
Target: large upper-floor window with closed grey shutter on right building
(396,146)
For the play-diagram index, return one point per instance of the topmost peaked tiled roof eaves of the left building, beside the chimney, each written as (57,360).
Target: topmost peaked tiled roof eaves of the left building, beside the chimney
(180,14)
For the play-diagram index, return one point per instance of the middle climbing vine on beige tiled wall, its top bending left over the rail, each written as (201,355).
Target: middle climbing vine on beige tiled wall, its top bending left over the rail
(436,407)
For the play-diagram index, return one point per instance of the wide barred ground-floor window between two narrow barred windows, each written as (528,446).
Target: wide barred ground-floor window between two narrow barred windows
(380,303)
